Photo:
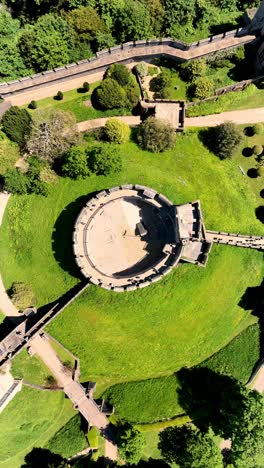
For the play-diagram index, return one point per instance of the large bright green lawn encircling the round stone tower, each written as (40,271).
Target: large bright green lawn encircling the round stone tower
(178,322)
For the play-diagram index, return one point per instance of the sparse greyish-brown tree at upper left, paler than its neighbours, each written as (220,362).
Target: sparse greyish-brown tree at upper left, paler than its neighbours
(53,135)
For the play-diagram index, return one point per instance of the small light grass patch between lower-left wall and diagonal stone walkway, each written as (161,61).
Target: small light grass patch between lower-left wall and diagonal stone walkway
(30,368)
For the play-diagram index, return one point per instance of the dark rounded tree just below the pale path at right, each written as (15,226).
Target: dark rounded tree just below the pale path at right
(224,138)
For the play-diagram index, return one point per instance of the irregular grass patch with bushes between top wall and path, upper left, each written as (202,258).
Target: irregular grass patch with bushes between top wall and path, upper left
(75,102)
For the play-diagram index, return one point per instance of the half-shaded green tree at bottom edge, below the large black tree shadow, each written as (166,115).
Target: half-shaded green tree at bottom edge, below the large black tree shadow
(189,448)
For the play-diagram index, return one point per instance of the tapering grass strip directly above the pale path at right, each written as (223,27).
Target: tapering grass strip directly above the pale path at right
(249,98)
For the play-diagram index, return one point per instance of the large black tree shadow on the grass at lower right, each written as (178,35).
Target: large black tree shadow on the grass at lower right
(208,398)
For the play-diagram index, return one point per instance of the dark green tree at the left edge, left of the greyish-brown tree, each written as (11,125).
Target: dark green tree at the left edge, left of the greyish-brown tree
(17,123)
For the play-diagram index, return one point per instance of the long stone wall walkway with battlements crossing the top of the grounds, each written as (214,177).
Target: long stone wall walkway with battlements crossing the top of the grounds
(53,80)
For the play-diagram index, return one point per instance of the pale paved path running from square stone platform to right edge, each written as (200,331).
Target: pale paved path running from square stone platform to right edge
(246,116)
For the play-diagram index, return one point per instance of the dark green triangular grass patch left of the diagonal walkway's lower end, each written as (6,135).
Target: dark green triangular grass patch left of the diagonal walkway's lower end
(69,440)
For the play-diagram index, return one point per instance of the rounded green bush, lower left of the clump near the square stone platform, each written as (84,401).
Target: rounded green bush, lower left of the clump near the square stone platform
(110,95)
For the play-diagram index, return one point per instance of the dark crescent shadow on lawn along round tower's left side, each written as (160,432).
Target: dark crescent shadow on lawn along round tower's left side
(62,242)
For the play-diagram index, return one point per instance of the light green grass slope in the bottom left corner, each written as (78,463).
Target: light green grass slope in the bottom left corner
(30,420)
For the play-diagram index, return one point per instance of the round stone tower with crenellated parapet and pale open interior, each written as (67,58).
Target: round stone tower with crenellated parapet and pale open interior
(124,238)
